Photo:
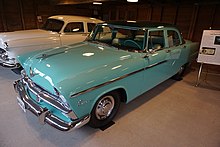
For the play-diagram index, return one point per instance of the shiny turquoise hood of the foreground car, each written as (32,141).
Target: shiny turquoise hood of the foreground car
(77,67)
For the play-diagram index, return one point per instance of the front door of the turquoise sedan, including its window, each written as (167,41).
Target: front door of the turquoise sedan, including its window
(157,67)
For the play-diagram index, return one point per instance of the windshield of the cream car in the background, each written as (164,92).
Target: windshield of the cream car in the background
(53,25)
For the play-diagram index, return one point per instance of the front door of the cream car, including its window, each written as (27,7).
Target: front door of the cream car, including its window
(73,32)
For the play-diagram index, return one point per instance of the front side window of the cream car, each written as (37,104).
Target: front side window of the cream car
(74,27)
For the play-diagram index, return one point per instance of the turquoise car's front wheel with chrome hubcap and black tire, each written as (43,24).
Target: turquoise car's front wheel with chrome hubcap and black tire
(105,110)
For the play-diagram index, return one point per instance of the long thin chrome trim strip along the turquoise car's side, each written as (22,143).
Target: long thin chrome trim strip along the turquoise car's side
(116,79)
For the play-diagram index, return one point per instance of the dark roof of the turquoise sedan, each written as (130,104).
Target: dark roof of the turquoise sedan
(140,24)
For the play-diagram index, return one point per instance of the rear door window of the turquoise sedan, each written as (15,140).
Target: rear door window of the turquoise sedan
(173,38)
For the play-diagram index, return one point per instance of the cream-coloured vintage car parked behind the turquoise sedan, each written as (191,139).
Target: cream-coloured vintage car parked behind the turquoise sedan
(57,31)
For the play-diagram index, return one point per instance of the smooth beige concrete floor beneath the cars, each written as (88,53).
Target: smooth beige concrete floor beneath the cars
(173,114)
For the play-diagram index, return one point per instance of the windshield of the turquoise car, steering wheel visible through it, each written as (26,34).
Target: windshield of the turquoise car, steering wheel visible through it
(131,39)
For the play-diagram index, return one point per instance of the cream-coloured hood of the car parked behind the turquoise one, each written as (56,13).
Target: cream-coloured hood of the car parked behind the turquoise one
(12,37)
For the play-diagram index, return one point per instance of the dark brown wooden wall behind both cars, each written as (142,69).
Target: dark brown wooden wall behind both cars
(192,19)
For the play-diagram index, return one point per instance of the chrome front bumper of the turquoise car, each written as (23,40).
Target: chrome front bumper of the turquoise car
(44,115)
